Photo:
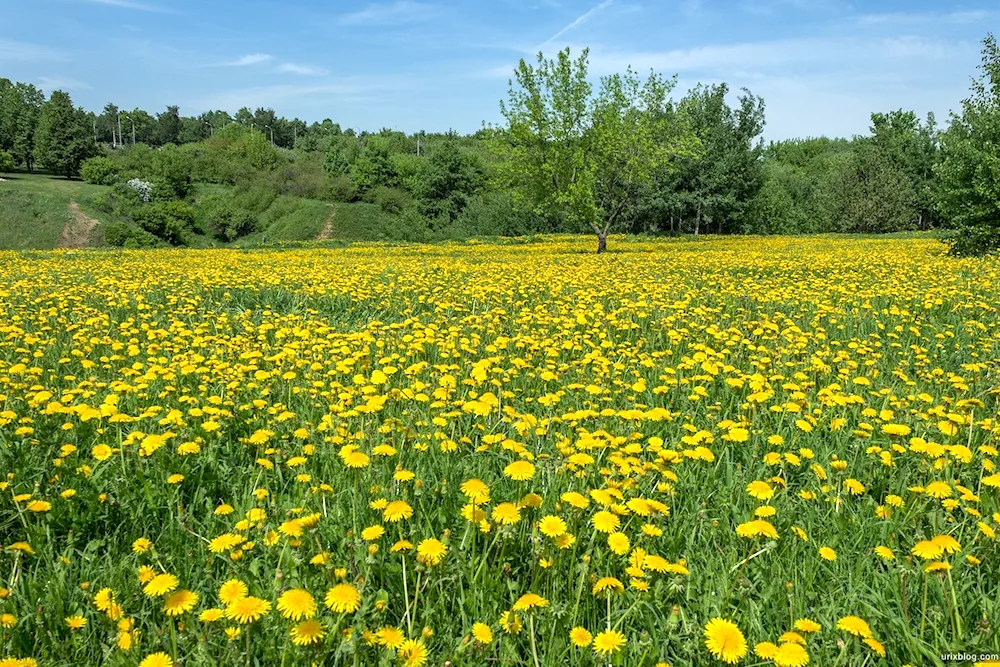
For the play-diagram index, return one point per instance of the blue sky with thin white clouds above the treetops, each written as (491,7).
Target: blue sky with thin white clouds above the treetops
(822,66)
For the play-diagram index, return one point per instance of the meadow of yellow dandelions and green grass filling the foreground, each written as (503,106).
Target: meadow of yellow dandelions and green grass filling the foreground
(764,451)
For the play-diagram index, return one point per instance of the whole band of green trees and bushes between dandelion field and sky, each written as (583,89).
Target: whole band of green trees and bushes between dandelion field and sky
(625,154)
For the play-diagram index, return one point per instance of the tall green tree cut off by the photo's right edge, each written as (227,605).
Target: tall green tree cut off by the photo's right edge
(969,172)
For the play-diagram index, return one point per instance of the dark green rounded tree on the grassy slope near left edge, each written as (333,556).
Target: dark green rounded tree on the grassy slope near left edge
(63,140)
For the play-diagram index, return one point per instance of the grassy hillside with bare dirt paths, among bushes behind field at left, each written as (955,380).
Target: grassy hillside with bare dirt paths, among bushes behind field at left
(39,211)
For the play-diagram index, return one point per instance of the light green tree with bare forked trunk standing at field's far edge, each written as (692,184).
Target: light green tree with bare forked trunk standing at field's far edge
(581,160)
